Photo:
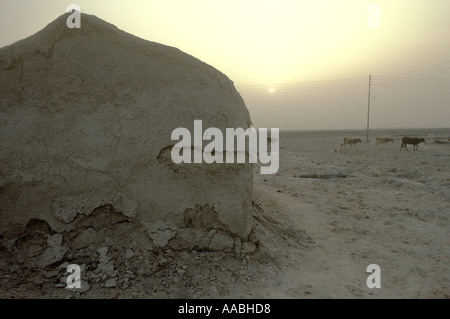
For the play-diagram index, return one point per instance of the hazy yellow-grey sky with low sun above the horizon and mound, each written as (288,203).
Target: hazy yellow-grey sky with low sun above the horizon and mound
(297,64)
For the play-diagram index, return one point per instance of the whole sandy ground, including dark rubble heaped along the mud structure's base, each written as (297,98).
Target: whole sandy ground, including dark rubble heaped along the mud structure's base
(319,222)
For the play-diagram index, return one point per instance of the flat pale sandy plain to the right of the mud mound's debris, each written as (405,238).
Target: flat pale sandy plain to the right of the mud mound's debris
(372,205)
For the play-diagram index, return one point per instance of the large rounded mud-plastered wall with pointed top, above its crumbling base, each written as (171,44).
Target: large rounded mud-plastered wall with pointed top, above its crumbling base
(86,129)
